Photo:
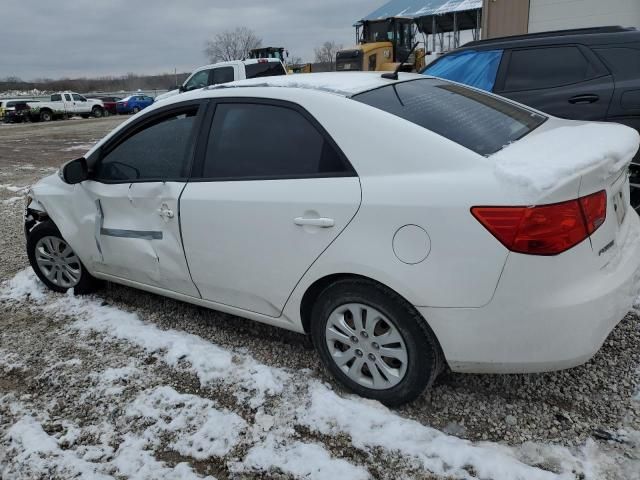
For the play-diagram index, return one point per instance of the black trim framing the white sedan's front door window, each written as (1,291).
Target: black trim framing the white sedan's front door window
(146,121)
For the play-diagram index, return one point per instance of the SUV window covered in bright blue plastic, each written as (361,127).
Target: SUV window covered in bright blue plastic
(474,68)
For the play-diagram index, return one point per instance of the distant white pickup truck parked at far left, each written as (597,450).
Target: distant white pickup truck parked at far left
(66,105)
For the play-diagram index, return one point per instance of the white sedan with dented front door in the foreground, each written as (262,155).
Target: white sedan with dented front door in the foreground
(403,224)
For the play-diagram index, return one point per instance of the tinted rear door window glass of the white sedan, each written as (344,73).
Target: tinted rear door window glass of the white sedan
(255,141)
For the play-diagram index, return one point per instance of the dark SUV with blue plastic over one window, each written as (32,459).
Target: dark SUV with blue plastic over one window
(584,74)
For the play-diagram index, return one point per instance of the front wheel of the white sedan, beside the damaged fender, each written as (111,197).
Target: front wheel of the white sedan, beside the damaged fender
(55,262)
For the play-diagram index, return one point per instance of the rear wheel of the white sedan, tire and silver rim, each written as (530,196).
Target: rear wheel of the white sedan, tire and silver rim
(374,342)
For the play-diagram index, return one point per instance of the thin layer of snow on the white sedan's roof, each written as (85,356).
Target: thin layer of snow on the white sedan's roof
(342,83)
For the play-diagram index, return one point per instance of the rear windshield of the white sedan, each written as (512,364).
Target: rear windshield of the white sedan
(479,122)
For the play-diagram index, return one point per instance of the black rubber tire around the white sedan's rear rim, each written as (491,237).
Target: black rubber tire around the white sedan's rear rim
(424,357)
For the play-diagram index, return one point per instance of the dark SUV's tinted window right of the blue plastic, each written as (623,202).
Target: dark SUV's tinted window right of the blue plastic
(546,67)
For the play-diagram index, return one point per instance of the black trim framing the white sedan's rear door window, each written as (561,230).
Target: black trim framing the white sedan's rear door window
(207,124)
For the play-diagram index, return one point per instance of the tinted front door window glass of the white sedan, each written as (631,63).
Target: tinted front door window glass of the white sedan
(158,152)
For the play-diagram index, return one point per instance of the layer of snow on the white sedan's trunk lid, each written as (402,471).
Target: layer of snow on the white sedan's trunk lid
(539,162)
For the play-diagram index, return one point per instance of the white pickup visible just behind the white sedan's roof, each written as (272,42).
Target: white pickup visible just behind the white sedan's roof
(225,72)
